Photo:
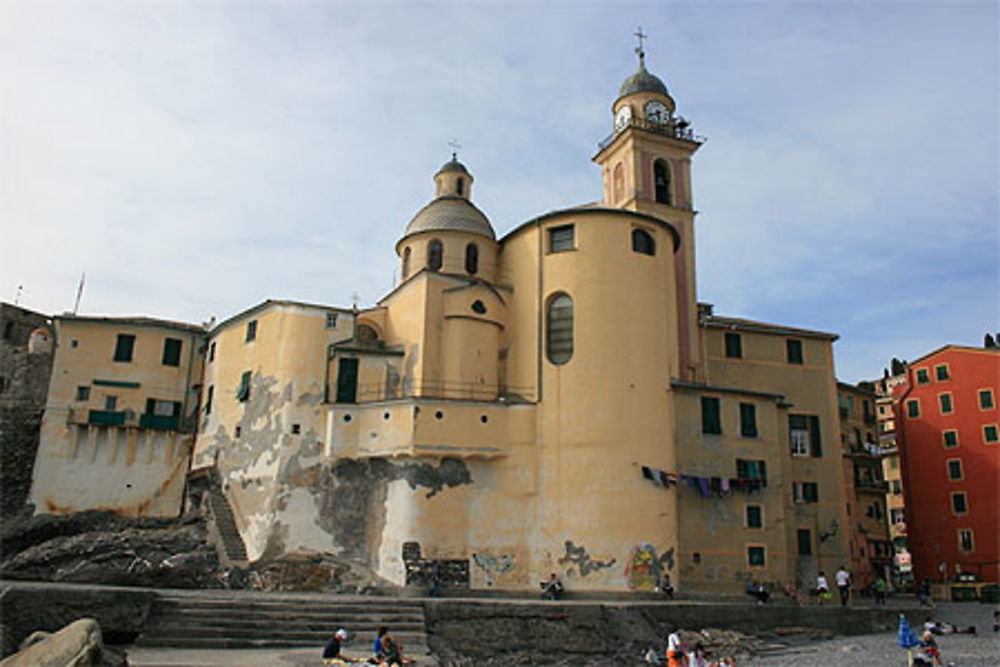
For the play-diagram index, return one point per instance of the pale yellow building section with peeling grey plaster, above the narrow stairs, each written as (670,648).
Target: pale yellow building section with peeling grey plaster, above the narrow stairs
(270,448)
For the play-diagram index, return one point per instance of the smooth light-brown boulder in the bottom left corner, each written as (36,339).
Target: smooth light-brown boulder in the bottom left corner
(79,644)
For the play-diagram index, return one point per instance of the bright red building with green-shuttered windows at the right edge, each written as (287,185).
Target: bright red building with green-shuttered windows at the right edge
(947,431)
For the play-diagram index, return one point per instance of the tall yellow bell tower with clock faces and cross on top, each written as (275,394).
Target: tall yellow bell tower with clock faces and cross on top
(646,167)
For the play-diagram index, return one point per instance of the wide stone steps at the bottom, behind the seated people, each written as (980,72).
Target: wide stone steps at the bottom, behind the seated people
(237,619)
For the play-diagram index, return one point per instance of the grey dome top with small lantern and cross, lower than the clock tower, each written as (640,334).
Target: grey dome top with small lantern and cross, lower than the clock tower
(451,210)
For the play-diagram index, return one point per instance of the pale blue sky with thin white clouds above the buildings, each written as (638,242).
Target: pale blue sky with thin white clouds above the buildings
(194,158)
